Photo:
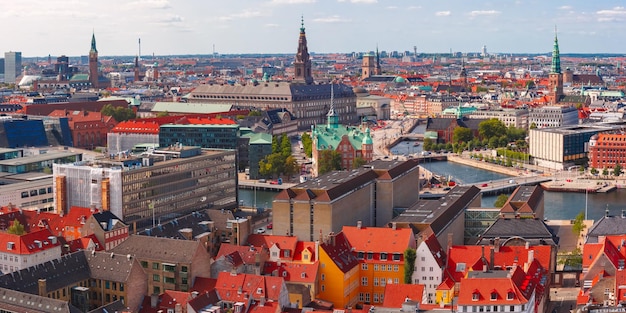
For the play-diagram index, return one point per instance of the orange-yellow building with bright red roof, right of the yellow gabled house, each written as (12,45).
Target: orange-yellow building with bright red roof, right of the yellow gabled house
(380,252)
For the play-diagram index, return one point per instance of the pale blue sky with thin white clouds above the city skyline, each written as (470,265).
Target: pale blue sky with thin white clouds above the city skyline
(173,27)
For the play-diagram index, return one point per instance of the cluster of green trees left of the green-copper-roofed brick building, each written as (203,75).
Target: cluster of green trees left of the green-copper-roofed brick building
(280,161)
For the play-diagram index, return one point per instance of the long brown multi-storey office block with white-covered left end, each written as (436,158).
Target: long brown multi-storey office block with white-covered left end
(156,185)
